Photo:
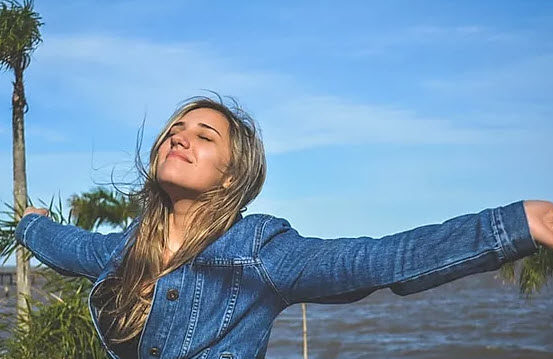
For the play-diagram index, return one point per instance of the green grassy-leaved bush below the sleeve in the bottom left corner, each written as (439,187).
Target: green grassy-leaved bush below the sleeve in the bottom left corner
(59,325)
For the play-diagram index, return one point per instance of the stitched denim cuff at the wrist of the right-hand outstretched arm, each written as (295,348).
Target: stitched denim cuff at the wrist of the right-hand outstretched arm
(510,226)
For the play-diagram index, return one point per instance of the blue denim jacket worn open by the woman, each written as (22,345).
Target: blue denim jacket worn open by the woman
(222,305)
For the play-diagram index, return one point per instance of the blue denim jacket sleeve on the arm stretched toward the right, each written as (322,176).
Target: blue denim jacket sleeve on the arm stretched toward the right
(343,270)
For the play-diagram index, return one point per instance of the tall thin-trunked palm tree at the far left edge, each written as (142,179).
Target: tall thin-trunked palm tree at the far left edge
(19,36)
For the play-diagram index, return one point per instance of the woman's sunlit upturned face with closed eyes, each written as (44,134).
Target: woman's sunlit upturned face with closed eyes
(194,154)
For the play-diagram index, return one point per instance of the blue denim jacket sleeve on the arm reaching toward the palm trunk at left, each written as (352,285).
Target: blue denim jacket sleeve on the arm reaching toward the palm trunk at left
(68,249)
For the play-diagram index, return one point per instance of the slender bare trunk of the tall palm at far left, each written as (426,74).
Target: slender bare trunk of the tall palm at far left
(20,186)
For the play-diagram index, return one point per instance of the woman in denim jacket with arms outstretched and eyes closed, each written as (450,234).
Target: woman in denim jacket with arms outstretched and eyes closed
(192,278)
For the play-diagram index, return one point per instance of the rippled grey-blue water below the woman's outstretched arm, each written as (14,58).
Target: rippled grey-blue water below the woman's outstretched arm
(473,317)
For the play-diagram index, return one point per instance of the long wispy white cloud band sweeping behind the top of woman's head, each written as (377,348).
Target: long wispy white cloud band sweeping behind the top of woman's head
(126,76)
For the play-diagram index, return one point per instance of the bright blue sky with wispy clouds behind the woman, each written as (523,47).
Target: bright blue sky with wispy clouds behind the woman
(377,117)
